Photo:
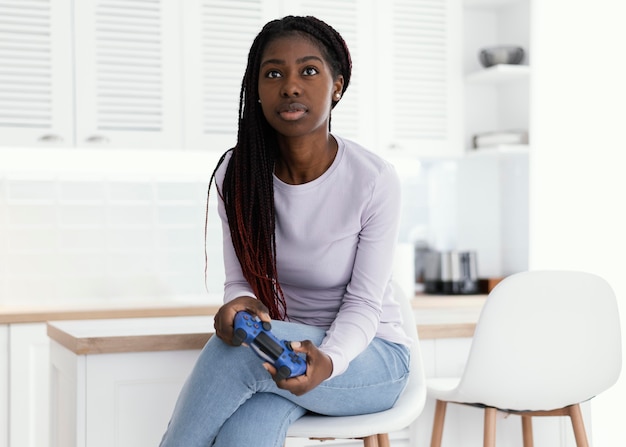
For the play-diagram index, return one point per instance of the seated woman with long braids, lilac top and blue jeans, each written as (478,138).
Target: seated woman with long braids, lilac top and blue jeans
(310,223)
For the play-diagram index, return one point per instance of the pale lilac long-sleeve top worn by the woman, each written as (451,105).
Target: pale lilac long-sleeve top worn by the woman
(335,239)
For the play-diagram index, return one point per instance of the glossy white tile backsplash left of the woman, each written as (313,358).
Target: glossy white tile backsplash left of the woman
(105,238)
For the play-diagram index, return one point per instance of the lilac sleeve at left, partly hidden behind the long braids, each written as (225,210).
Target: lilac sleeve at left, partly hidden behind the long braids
(235,284)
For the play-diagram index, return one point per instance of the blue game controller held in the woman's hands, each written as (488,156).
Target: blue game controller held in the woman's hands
(256,334)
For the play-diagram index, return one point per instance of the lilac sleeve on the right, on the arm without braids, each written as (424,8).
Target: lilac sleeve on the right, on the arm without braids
(358,318)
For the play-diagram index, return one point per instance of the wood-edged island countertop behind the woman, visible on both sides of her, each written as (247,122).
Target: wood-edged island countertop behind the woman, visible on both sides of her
(437,317)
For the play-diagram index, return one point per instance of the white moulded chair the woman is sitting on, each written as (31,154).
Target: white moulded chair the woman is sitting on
(374,428)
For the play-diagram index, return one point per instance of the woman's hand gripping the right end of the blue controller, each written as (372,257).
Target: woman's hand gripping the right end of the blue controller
(319,367)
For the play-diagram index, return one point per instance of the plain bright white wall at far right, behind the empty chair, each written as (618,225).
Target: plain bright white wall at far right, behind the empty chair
(577,174)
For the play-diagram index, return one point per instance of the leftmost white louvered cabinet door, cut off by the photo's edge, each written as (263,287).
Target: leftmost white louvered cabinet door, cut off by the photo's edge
(35,73)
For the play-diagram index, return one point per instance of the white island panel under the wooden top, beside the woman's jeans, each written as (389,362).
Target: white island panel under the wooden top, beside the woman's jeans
(129,397)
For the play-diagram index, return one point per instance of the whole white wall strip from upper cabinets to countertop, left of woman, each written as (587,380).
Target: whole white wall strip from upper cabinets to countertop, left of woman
(85,225)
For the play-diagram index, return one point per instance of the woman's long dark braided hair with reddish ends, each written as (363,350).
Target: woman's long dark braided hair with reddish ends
(248,190)
